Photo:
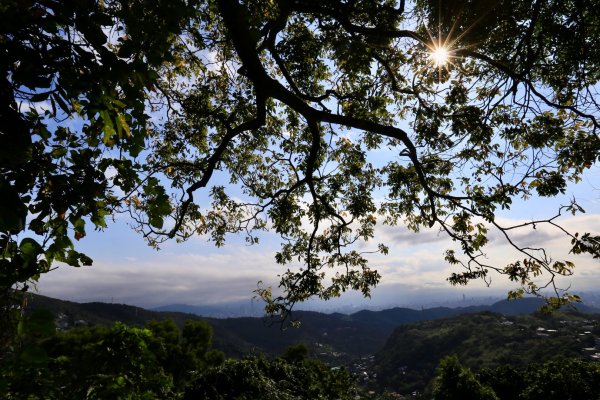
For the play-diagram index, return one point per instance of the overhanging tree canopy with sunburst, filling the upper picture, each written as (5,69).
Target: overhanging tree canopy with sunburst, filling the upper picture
(136,106)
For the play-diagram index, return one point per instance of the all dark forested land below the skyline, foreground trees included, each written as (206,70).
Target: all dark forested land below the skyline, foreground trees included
(78,351)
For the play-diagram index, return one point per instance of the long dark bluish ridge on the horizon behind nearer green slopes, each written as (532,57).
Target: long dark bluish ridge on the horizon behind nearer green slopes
(329,336)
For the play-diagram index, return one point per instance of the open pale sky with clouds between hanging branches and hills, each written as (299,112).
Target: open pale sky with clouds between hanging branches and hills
(126,270)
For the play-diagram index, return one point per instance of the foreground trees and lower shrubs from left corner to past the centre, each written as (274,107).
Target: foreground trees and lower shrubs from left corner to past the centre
(159,361)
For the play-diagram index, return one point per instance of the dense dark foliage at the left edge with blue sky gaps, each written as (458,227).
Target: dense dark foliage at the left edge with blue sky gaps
(75,79)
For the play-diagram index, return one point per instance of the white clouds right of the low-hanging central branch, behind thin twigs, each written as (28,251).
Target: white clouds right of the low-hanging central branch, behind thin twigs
(417,259)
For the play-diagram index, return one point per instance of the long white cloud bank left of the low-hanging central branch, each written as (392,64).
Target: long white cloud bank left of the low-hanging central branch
(166,278)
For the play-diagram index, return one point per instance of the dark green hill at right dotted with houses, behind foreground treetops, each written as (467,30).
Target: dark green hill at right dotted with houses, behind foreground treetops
(408,360)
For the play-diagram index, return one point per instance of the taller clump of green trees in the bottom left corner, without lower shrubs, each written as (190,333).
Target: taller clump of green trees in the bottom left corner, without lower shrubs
(122,362)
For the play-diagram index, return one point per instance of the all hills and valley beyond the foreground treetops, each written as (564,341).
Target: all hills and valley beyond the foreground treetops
(407,344)
